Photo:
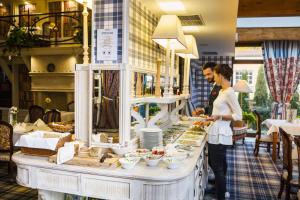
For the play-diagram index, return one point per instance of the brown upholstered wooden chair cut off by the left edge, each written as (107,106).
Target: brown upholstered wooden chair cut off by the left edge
(6,144)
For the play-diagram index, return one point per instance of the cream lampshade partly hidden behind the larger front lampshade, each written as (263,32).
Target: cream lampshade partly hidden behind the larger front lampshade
(191,51)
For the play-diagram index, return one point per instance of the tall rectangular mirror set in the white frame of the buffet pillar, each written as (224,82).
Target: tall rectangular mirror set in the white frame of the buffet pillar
(106,106)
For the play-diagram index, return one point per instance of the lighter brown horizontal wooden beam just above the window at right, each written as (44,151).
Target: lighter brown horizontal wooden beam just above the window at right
(261,34)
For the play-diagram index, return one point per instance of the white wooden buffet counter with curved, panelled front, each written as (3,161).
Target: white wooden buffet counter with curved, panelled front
(140,183)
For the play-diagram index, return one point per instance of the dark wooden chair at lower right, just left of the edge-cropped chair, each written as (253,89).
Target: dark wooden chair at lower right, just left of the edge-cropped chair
(289,177)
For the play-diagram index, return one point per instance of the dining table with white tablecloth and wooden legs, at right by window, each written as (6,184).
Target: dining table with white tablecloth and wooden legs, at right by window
(290,127)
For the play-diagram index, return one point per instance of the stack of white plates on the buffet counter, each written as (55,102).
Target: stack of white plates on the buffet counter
(151,137)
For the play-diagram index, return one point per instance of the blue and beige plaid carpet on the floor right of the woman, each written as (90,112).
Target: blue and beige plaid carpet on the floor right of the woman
(250,177)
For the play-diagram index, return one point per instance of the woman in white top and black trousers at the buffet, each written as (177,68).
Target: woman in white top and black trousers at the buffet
(225,109)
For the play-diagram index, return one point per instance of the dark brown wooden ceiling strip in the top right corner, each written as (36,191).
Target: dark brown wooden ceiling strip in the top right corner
(268,8)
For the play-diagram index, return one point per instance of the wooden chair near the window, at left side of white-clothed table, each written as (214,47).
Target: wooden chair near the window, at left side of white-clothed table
(263,140)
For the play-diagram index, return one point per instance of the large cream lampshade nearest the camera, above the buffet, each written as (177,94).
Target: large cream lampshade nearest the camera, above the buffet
(169,30)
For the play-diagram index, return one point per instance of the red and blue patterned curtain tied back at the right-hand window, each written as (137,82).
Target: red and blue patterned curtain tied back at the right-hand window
(282,67)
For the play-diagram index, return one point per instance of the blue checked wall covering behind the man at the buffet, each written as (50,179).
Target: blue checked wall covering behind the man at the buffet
(199,87)
